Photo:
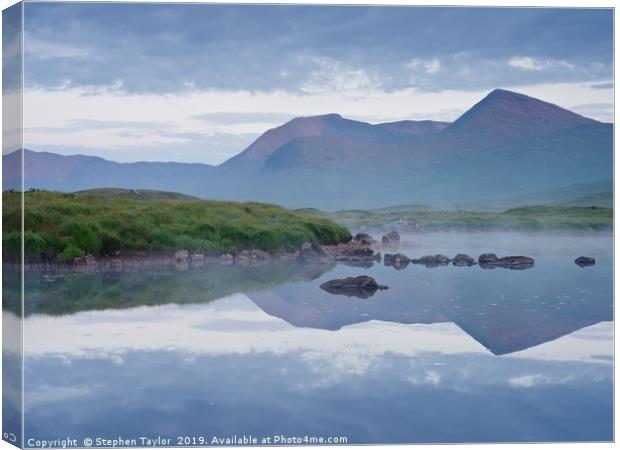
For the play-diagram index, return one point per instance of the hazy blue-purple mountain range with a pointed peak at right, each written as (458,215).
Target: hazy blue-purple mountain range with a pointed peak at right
(506,146)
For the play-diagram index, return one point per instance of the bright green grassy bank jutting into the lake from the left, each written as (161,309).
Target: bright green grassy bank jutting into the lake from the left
(62,226)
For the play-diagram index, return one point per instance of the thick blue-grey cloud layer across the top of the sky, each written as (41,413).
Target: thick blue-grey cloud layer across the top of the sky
(157,48)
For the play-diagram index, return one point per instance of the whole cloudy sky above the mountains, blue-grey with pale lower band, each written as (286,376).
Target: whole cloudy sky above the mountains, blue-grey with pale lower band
(198,83)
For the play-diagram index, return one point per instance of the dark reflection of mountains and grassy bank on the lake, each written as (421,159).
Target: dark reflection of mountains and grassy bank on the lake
(504,311)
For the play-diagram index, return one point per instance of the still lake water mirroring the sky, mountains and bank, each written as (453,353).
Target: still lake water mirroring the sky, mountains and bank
(450,354)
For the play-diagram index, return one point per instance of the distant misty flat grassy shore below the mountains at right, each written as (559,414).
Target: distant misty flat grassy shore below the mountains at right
(525,218)
